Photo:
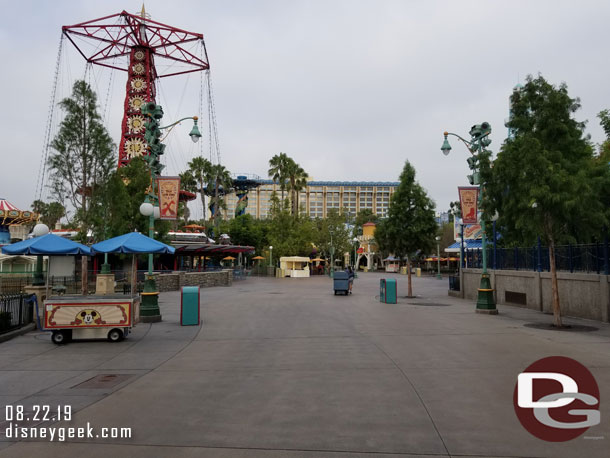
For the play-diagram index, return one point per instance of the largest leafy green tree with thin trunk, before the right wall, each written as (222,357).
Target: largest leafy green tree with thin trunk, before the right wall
(543,181)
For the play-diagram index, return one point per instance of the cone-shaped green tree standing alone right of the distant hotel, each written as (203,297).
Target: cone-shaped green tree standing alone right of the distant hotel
(411,223)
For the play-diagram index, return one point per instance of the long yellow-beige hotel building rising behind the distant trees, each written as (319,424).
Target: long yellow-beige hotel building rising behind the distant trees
(321,196)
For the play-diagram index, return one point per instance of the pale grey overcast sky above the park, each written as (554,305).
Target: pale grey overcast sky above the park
(349,89)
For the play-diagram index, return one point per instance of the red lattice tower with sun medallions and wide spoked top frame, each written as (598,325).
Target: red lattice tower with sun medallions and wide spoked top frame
(135,44)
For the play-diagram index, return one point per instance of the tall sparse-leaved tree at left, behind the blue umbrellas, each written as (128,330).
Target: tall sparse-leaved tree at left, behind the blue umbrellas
(84,154)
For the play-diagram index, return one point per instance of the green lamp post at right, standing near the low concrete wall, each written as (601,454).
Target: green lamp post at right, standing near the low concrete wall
(479,140)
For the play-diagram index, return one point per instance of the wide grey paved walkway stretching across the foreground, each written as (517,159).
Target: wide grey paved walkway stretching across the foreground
(283,368)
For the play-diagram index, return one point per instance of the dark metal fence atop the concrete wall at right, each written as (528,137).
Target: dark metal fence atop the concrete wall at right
(591,258)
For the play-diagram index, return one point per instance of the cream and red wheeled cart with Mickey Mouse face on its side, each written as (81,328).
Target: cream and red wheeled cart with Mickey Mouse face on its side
(90,317)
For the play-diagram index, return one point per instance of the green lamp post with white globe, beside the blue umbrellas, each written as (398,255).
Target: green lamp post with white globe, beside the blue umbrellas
(149,309)
